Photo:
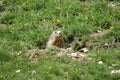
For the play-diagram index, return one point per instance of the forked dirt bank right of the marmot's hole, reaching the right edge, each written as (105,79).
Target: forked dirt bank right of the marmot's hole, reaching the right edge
(90,44)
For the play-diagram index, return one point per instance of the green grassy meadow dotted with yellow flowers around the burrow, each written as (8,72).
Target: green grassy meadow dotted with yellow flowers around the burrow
(26,23)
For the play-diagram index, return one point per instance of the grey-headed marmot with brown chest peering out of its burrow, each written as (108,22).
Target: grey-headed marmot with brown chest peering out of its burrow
(56,39)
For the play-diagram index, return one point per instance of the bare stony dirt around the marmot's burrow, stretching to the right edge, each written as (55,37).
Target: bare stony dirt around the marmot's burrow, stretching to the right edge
(82,47)
